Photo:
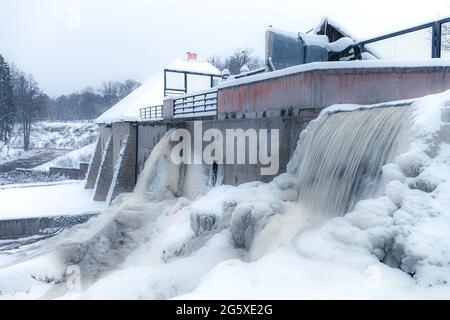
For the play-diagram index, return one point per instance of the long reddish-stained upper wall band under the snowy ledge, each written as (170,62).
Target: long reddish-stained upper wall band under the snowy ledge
(322,88)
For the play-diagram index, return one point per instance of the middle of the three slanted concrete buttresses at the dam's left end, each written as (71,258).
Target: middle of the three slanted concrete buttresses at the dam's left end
(105,173)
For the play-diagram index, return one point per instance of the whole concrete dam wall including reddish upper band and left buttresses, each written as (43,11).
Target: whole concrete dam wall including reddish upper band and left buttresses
(285,100)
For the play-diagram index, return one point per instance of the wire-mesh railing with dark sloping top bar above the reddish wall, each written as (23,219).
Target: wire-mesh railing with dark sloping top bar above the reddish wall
(429,40)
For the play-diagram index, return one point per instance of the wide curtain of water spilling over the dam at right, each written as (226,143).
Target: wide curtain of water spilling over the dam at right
(343,155)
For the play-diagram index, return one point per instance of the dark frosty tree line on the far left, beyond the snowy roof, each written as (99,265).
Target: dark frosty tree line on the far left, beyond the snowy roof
(22,102)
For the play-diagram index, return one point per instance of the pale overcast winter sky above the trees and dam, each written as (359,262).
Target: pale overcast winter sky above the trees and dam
(70,44)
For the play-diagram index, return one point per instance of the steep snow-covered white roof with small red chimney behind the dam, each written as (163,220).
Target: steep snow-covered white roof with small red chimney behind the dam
(151,93)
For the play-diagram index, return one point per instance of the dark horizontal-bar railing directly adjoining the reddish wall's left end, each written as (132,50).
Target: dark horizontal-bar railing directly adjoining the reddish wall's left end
(196,105)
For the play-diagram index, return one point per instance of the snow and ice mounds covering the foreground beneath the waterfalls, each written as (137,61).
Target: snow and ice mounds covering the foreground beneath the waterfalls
(256,241)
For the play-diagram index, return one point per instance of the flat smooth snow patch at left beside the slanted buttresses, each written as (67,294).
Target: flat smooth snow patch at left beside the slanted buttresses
(58,199)
